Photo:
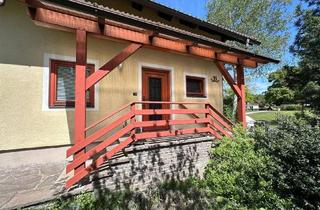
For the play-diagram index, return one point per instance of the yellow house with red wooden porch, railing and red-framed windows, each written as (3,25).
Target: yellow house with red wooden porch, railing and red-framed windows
(90,79)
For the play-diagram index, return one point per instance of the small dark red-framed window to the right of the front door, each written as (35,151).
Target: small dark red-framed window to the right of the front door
(195,87)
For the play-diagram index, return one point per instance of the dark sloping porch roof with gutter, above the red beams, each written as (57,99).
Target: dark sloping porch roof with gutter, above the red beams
(92,8)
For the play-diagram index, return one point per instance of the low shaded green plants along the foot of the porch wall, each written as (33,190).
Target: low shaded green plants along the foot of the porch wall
(168,195)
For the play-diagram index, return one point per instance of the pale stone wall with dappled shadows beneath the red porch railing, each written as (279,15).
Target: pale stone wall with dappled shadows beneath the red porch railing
(144,166)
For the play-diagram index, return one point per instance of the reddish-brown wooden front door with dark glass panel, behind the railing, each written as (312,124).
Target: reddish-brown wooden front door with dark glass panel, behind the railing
(155,87)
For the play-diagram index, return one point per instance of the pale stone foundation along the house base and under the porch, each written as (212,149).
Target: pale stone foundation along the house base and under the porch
(38,175)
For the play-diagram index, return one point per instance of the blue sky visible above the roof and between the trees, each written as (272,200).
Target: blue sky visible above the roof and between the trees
(197,8)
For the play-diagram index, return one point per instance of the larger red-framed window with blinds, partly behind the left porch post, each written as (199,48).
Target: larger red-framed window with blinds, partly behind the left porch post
(62,81)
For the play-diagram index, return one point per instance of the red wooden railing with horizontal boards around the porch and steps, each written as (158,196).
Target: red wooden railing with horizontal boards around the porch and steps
(205,120)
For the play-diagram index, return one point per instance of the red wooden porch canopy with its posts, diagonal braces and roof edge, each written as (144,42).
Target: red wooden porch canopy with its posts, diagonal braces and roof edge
(85,18)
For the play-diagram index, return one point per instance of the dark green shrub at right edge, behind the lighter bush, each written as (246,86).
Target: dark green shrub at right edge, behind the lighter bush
(294,146)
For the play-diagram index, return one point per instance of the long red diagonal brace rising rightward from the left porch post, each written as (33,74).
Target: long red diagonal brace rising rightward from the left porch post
(113,63)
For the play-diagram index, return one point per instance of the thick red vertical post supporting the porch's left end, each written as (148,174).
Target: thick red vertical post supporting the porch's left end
(80,92)
